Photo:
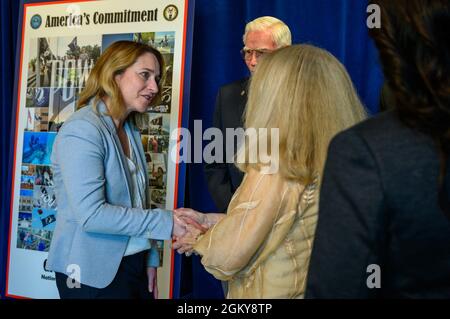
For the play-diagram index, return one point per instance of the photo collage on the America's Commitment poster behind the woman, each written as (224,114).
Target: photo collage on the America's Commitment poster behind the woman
(57,72)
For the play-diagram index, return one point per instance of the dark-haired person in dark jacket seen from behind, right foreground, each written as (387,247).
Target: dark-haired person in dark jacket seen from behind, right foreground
(381,231)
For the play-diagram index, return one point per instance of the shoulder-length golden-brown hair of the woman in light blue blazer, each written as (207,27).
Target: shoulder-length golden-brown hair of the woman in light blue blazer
(115,60)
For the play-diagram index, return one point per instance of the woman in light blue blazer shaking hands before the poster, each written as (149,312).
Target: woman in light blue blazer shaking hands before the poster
(103,244)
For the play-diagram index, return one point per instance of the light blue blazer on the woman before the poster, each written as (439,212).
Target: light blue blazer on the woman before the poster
(92,185)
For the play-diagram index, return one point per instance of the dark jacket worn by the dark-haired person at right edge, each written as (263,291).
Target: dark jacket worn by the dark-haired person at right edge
(379,205)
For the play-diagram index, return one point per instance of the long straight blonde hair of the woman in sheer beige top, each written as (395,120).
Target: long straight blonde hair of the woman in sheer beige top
(308,95)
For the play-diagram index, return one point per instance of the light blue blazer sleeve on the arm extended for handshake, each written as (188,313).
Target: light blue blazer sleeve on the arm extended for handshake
(81,158)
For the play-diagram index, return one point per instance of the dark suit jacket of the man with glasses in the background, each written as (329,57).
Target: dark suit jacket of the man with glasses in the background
(224,178)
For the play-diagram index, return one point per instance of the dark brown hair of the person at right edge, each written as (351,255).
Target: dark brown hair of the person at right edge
(414,48)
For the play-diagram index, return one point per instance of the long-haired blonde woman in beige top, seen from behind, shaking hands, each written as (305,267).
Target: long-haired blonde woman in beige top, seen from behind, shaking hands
(262,246)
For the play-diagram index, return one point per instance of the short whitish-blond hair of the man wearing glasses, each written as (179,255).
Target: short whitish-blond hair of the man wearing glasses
(279,30)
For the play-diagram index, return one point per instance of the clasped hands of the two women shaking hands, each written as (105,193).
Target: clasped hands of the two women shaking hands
(188,226)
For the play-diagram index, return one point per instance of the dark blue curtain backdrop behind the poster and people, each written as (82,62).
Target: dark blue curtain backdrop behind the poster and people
(336,25)
